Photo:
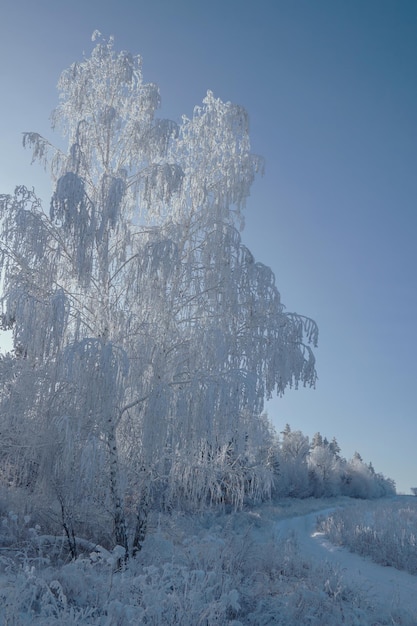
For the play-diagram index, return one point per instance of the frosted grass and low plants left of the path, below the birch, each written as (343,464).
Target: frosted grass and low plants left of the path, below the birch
(208,569)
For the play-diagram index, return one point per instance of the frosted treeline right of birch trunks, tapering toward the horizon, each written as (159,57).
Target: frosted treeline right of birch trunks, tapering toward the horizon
(260,464)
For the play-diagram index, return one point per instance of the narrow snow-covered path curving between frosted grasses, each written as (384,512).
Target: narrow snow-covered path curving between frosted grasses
(385,586)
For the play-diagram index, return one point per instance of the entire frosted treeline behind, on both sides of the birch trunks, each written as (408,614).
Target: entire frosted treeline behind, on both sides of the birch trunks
(254,464)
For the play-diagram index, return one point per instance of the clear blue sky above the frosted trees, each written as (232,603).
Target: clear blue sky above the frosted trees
(331,90)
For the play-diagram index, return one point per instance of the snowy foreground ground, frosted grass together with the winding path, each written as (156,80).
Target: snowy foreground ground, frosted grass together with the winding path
(262,566)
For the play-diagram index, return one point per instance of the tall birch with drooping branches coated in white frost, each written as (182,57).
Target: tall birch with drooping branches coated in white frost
(155,333)
